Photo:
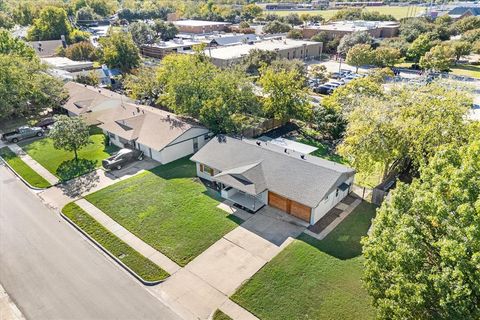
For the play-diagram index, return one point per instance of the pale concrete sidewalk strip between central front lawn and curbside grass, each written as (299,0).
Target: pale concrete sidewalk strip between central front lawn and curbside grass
(129,238)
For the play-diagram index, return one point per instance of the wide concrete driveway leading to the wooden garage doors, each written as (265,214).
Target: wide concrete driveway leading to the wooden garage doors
(206,282)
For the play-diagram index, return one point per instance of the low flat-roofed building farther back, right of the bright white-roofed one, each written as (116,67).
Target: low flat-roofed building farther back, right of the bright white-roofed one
(377,29)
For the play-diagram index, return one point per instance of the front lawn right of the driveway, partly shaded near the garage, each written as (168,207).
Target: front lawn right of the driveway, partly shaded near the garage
(311,279)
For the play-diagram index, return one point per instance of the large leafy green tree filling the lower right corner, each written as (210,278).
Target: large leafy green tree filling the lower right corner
(422,254)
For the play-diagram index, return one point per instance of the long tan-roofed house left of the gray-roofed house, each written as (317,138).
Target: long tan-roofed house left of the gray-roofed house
(161,135)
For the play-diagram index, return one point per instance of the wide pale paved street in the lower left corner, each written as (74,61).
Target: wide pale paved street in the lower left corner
(51,272)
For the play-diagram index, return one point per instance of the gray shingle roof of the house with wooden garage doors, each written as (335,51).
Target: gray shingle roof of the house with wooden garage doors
(267,166)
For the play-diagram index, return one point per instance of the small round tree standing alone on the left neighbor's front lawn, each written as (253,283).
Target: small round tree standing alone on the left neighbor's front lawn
(69,134)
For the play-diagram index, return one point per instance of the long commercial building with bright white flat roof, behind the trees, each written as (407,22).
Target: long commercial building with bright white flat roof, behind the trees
(285,48)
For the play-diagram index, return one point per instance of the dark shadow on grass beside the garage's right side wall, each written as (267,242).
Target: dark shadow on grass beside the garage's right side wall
(344,241)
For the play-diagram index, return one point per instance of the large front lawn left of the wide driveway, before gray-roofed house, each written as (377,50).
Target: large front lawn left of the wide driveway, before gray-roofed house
(168,209)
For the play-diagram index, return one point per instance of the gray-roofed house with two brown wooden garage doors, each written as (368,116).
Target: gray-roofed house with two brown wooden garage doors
(253,174)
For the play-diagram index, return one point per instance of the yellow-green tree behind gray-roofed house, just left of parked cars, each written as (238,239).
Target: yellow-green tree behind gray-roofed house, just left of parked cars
(285,96)
